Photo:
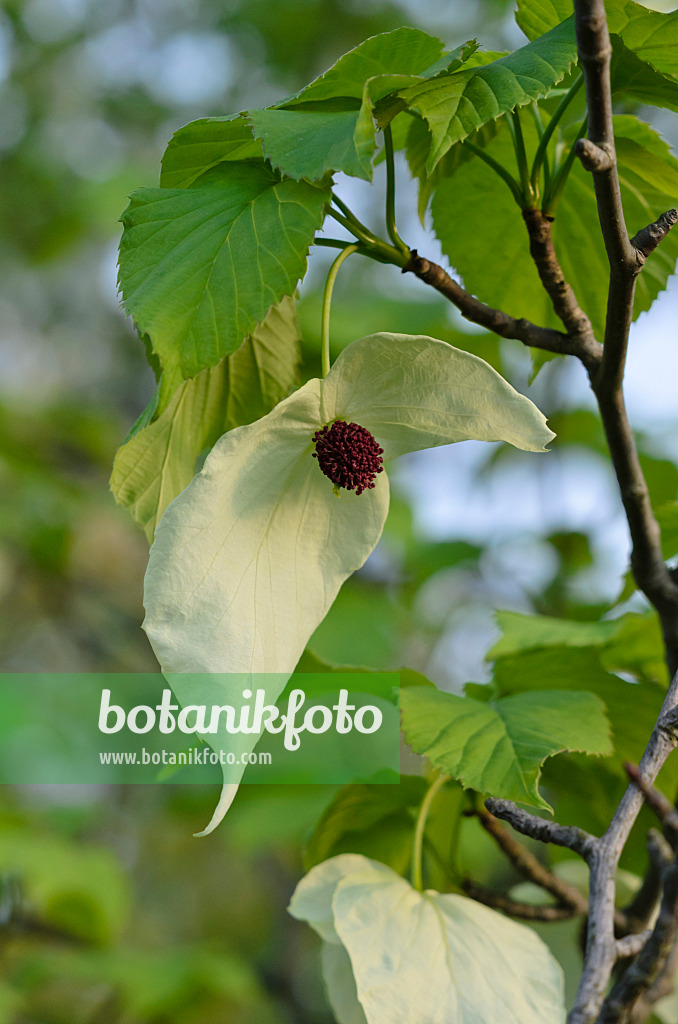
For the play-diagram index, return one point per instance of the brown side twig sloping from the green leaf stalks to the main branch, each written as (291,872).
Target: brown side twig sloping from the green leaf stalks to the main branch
(497,321)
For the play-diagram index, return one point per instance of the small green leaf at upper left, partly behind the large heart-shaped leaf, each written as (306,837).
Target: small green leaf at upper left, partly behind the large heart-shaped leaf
(202,145)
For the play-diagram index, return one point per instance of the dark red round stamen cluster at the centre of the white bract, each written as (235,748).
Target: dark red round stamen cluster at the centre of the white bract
(349,455)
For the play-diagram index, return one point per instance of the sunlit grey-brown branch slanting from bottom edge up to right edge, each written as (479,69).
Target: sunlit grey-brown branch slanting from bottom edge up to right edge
(602,946)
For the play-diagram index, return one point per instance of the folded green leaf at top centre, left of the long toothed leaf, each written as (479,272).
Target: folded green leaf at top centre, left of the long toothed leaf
(329,125)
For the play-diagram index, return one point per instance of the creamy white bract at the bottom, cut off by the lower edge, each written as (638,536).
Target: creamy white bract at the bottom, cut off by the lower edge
(394,956)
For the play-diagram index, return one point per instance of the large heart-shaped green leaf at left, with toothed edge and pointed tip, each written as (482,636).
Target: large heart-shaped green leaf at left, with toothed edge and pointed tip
(200,268)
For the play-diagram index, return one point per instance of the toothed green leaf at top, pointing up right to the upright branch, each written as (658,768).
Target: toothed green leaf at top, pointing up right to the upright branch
(457,105)
